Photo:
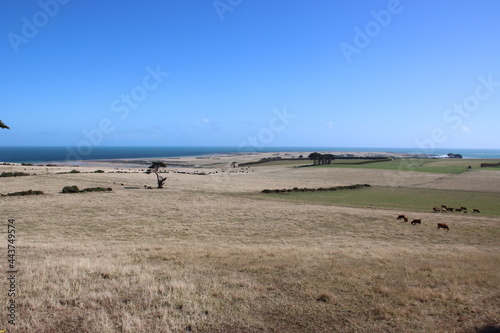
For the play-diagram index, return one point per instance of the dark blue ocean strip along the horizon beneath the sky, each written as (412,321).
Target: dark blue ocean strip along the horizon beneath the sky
(53,154)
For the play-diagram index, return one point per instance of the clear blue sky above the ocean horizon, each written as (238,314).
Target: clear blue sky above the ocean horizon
(259,72)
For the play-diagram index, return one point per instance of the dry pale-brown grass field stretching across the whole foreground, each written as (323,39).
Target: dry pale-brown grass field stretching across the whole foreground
(209,253)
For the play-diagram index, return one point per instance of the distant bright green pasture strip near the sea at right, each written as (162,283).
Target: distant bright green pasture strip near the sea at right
(413,164)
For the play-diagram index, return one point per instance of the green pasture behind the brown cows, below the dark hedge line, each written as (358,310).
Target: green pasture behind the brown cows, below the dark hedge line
(398,198)
